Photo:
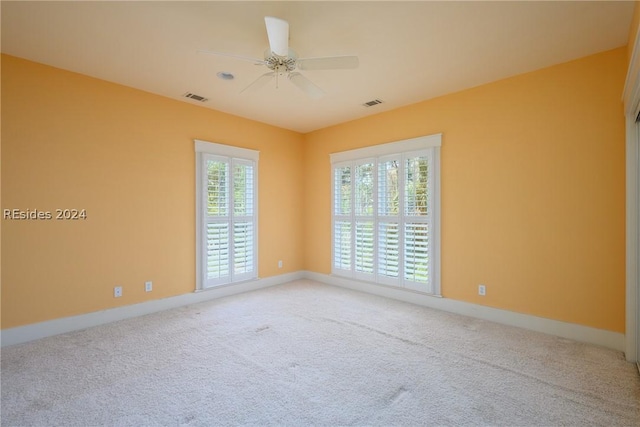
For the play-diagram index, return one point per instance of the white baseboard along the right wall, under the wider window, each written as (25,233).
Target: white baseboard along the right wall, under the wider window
(612,340)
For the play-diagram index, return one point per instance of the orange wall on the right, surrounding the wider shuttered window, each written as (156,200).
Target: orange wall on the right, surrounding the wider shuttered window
(533,201)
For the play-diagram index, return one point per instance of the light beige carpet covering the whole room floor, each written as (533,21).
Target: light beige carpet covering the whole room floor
(305,354)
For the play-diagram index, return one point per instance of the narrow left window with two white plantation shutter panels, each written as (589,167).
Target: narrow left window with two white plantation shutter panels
(226,213)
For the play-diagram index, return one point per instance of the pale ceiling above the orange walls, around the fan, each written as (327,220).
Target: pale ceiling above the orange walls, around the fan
(408,51)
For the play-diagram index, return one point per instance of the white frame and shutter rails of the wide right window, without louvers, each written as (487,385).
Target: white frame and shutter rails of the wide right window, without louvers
(400,150)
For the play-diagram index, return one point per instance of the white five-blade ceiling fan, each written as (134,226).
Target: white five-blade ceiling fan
(283,61)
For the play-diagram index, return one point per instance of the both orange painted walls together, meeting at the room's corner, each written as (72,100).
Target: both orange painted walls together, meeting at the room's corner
(532,190)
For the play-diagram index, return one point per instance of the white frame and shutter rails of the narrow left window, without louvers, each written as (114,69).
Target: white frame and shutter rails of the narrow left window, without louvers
(204,151)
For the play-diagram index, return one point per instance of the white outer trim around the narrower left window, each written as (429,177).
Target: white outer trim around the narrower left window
(221,150)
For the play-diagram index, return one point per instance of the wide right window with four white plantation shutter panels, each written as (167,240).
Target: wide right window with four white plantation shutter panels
(386,214)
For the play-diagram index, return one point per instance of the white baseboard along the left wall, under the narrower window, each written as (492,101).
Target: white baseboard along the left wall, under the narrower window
(22,334)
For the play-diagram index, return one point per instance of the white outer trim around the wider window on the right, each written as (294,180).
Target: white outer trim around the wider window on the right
(376,153)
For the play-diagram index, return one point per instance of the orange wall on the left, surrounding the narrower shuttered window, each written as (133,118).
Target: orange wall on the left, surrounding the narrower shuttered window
(127,157)
